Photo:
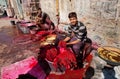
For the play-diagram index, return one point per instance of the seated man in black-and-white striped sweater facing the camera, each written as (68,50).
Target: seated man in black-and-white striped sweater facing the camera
(77,34)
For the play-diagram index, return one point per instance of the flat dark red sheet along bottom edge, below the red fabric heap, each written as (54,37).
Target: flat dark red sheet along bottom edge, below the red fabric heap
(73,74)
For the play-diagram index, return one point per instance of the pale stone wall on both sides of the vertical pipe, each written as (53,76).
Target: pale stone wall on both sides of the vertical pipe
(108,9)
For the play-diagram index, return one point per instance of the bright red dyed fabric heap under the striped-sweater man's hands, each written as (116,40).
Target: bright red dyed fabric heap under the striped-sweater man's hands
(65,58)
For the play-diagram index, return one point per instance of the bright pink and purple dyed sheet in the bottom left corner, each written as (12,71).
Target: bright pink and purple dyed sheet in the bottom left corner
(29,65)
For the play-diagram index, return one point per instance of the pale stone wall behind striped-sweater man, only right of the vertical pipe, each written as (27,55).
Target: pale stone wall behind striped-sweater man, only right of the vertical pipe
(107,9)
